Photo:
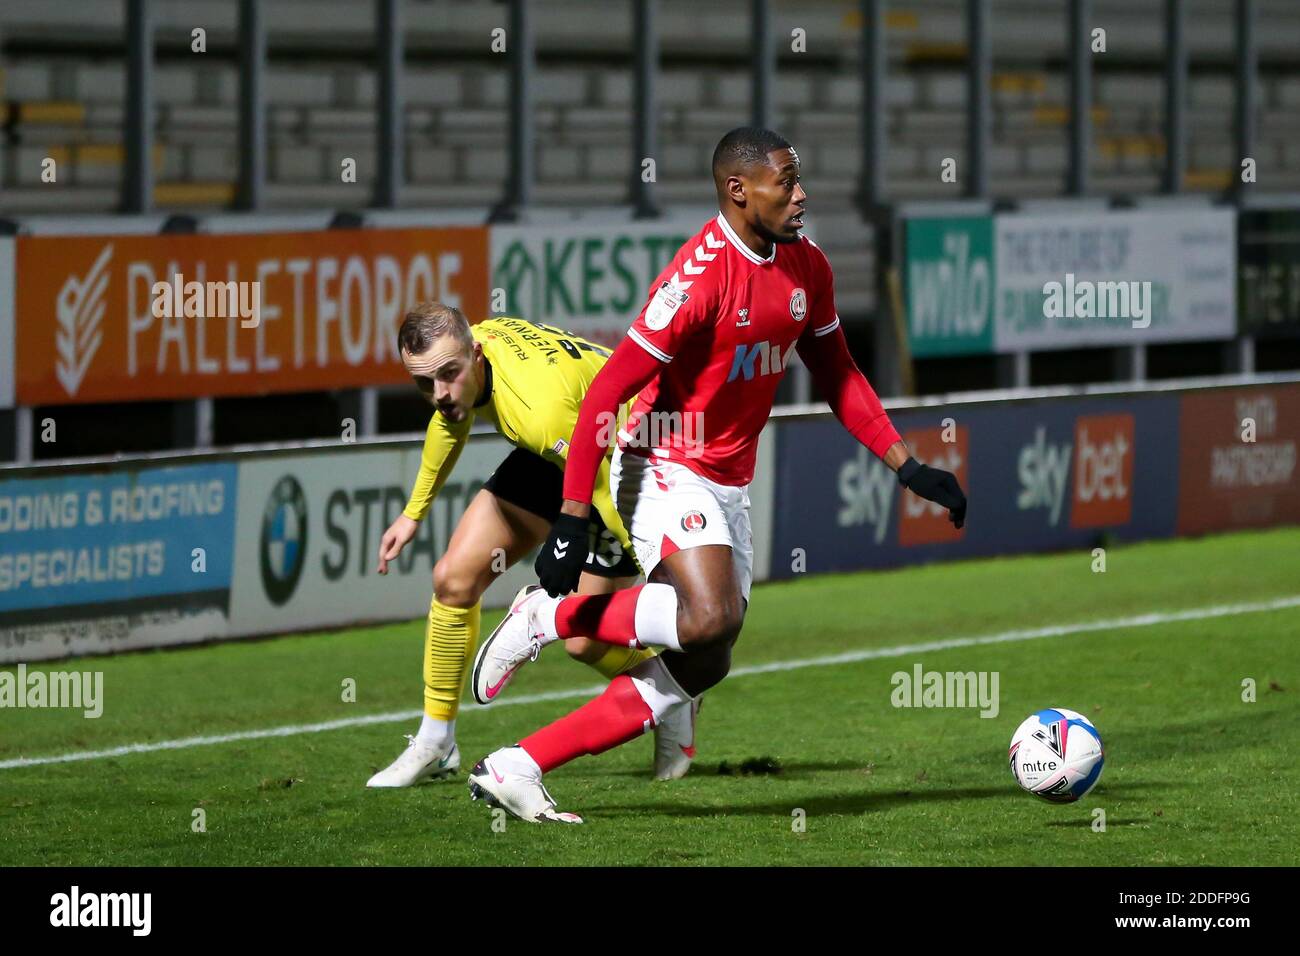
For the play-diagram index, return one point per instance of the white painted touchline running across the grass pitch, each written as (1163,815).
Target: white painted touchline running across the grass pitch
(850,657)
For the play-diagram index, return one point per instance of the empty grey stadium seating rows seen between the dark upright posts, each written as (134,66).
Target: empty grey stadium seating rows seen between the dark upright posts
(322,90)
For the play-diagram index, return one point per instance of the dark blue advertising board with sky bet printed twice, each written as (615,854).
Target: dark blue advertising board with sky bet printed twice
(1039,477)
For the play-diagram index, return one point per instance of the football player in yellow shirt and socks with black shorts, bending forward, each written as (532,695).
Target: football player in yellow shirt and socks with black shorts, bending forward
(527,380)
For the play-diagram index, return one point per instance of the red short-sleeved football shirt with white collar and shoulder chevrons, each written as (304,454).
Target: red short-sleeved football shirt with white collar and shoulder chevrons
(725,322)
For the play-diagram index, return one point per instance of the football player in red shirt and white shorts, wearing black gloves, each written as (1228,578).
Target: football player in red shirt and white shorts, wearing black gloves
(705,358)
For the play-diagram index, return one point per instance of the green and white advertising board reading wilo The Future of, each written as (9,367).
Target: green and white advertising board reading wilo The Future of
(1029,283)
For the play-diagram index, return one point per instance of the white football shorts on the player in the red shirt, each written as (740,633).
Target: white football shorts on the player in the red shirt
(668,508)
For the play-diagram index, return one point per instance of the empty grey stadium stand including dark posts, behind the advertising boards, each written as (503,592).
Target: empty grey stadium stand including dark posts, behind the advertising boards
(220,148)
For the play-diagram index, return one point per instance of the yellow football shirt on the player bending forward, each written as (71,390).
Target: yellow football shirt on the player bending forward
(539,378)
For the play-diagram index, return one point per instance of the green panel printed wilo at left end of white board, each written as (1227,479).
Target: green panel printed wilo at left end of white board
(950,283)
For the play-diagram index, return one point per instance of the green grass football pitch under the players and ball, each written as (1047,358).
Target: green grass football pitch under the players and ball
(1194,775)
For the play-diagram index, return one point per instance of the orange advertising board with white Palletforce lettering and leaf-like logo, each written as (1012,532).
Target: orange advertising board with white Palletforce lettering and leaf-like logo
(127,318)
